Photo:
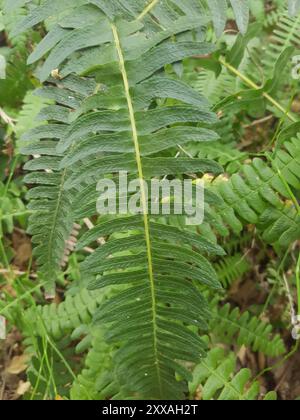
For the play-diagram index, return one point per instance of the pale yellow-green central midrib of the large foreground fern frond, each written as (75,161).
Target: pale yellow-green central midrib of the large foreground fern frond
(143,192)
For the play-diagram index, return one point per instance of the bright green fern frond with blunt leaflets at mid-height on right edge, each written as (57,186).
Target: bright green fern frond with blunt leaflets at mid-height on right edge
(258,195)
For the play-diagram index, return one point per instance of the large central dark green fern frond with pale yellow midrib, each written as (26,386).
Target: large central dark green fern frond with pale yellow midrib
(153,306)
